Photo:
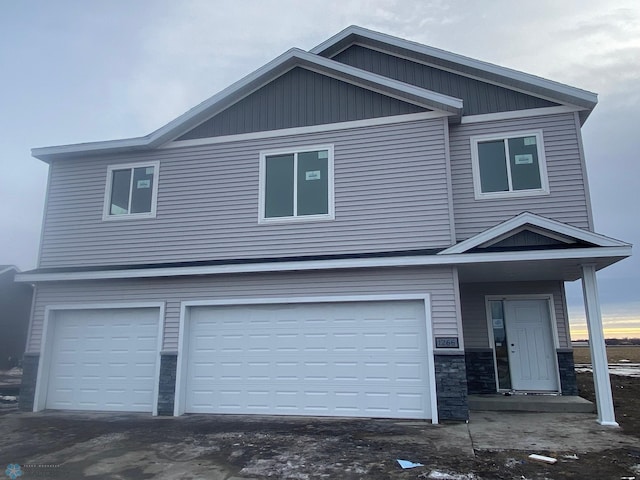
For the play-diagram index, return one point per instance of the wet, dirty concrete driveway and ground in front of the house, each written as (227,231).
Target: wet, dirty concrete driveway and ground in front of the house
(137,446)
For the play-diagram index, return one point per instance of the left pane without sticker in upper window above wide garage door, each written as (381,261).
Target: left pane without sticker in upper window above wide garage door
(279,186)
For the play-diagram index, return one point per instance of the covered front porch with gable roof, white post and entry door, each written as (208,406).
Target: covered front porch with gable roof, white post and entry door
(515,322)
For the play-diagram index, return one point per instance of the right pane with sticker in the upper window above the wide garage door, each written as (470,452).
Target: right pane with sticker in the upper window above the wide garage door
(313,191)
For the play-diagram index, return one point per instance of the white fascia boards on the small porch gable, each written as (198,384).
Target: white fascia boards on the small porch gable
(528,218)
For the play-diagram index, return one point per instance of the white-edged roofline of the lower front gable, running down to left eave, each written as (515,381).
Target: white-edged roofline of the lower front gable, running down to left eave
(232,94)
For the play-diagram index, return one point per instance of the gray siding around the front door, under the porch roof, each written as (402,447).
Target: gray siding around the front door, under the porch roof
(474,314)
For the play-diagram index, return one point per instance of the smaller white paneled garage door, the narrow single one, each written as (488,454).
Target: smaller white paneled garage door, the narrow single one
(103,359)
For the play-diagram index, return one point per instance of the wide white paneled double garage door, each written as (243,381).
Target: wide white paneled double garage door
(359,359)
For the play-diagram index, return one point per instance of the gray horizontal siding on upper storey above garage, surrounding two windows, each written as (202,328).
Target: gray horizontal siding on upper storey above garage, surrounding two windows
(390,194)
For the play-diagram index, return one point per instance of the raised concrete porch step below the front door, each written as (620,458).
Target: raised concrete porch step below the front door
(530,403)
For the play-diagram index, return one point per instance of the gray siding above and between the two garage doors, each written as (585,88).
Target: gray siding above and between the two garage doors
(438,282)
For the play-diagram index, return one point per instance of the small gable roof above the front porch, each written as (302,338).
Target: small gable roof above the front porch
(541,225)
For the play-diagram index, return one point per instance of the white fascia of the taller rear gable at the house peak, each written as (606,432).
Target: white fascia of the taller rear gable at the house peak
(503,75)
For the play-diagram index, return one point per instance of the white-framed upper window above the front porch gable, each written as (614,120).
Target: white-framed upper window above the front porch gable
(509,165)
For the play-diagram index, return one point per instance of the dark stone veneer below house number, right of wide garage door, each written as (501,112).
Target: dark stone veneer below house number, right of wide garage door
(451,387)
